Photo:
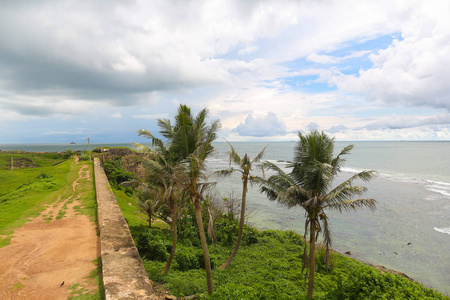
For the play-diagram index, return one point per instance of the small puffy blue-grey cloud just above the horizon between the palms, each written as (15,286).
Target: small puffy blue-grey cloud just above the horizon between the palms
(261,126)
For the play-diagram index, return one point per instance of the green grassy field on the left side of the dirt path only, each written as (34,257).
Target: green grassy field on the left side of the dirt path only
(24,192)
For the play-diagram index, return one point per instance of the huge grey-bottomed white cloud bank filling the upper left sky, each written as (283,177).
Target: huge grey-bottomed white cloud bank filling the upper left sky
(113,51)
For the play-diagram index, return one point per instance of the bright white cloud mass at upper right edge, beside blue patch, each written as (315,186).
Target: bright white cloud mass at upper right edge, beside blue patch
(414,70)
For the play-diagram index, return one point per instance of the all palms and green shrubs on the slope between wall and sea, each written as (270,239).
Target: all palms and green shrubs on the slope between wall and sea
(270,264)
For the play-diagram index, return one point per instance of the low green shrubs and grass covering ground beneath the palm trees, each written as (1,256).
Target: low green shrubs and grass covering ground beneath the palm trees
(267,268)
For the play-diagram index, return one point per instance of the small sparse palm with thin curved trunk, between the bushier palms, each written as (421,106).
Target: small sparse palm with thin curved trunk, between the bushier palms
(245,165)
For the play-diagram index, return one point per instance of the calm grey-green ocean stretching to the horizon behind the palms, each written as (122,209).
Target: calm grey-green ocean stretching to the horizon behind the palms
(408,232)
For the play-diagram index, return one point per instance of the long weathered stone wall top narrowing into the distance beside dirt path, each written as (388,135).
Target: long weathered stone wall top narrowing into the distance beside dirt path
(124,275)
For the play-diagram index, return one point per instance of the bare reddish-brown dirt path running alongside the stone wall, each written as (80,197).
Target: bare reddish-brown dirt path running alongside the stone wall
(47,251)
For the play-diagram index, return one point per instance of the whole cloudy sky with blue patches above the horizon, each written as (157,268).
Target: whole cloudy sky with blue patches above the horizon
(357,70)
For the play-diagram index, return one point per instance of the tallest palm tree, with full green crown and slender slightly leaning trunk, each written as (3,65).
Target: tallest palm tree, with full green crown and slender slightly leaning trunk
(189,142)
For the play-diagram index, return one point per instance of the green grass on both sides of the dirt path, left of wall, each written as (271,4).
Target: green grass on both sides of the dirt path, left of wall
(28,190)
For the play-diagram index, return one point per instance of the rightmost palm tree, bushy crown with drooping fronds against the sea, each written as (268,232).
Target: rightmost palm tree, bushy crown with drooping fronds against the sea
(309,185)
